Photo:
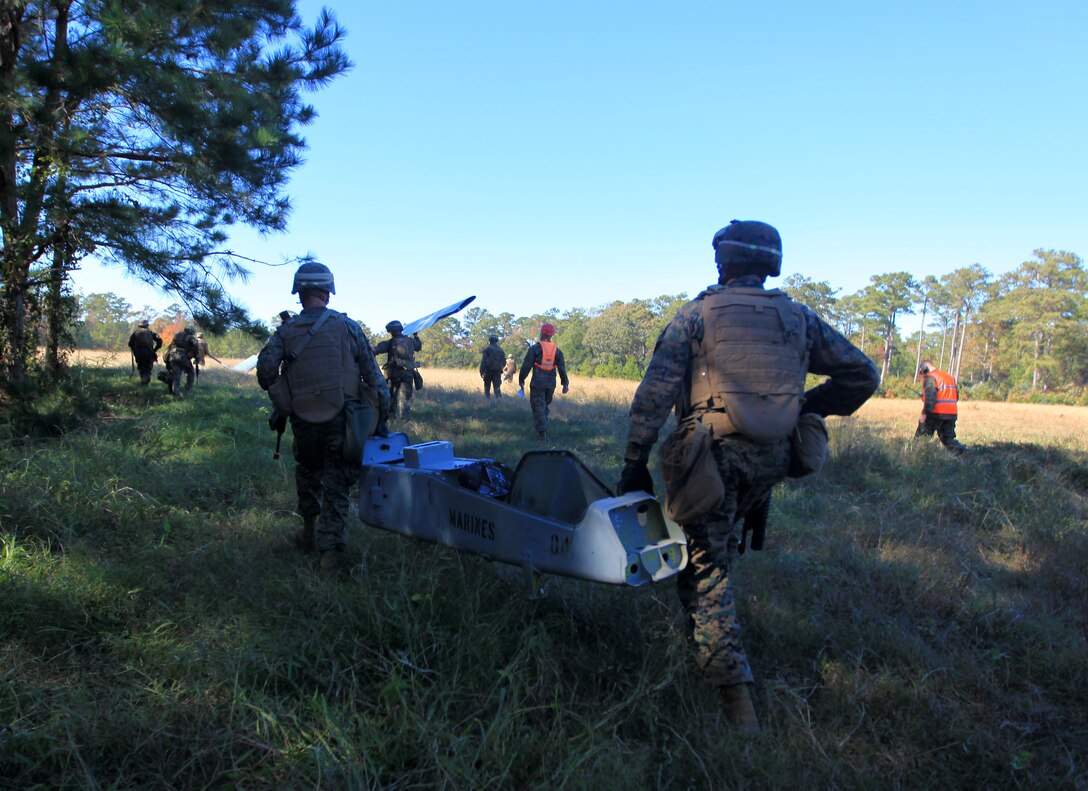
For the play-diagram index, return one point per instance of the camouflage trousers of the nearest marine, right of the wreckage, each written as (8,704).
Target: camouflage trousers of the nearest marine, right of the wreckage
(706,586)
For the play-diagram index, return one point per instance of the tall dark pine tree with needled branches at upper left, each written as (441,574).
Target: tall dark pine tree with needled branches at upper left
(141,130)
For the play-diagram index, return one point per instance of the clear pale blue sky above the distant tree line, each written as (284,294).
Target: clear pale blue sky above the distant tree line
(571,154)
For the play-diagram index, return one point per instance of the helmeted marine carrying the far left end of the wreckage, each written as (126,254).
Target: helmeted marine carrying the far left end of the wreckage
(319,369)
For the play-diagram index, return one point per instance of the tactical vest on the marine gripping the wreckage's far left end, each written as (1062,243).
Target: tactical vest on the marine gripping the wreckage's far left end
(326,375)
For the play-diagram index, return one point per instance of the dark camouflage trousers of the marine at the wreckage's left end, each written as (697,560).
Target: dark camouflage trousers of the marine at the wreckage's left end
(324,479)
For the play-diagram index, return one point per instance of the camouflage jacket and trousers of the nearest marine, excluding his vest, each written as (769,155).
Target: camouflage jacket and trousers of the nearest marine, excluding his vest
(749,469)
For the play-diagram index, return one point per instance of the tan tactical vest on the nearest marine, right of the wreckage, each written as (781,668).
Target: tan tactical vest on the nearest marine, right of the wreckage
(752,362)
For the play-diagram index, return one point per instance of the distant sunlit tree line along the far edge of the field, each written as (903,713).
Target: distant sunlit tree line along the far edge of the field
(1023,335)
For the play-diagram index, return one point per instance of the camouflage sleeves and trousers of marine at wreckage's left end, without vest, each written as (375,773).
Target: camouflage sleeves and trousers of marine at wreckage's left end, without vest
(324,480)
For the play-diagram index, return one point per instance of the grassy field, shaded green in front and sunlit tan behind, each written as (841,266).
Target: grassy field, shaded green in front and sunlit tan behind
(916,622)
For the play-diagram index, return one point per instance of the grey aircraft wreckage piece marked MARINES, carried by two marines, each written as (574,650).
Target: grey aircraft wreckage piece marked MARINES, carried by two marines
(551,516)
